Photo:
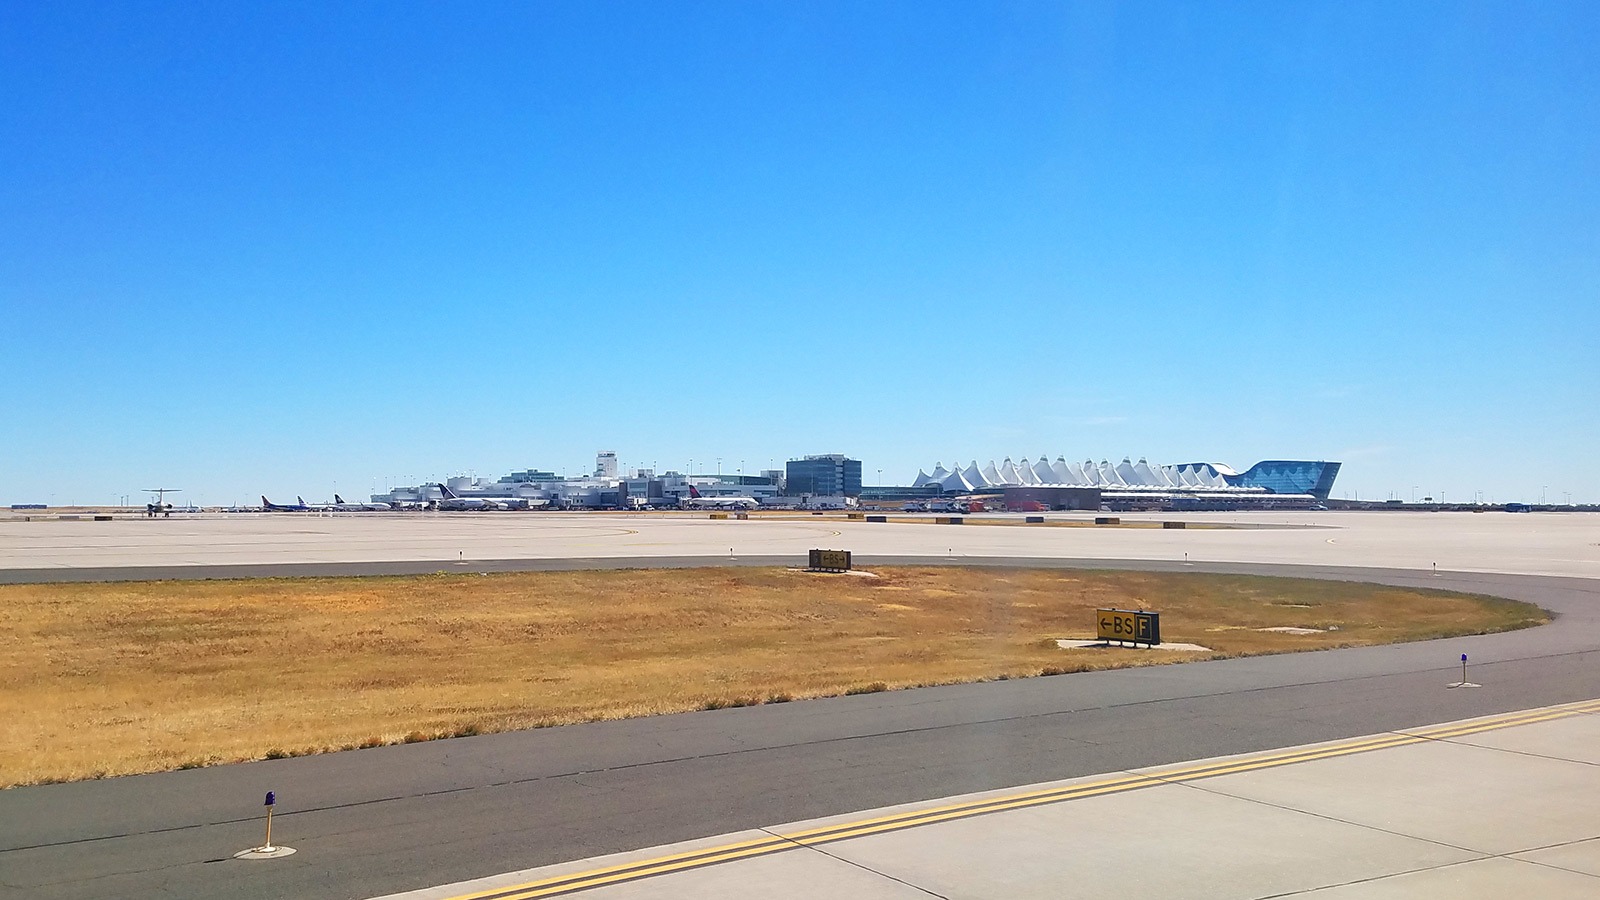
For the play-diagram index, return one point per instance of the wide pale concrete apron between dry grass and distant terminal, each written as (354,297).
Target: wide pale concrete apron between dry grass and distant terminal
(1537,544)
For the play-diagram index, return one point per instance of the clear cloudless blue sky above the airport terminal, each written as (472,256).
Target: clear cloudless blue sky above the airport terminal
(306,247)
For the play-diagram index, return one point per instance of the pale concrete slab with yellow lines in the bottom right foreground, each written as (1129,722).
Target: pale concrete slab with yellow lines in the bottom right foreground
(1481,808)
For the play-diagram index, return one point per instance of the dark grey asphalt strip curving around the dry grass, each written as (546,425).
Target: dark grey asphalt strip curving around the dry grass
(393,819)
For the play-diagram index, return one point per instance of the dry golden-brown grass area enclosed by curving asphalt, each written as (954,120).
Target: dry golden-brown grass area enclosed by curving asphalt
(108,680)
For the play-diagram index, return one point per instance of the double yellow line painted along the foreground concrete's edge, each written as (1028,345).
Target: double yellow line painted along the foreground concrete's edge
(897,822)
